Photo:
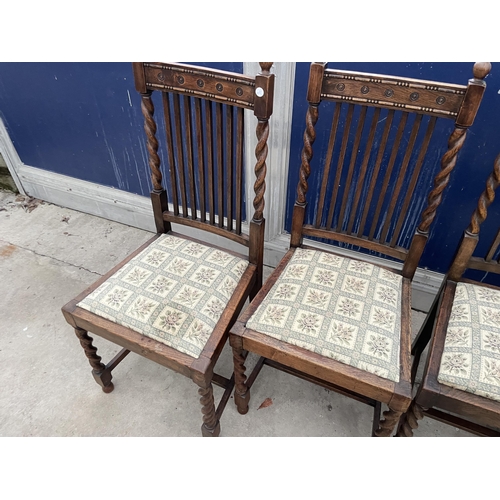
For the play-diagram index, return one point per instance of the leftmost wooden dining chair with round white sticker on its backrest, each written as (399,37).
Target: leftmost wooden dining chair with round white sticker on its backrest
(175,298)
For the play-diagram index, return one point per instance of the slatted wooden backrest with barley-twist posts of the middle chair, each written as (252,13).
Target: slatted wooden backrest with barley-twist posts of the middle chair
(379,134)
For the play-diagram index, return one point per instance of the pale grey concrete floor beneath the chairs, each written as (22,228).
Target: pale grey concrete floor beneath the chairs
(48,255)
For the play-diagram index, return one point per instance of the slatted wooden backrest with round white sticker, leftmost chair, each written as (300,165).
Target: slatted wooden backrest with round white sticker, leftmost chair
(203,112)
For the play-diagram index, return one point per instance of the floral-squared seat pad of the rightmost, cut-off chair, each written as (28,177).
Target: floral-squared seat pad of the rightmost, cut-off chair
(471,356)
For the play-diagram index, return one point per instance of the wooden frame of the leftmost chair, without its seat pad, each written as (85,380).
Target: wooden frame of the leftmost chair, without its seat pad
(197,87)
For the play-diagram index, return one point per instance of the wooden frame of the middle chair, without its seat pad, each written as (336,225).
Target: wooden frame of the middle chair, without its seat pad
(460,104)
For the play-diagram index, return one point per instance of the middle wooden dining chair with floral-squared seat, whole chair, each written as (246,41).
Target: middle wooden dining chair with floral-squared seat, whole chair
(339,321)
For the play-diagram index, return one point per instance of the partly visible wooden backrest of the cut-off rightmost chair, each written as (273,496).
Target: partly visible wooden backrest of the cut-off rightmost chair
(464,258)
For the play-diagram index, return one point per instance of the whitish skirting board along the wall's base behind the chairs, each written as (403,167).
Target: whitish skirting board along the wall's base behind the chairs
(135,210)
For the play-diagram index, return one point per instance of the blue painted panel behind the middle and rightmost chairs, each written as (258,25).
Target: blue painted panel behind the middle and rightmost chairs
(474,164)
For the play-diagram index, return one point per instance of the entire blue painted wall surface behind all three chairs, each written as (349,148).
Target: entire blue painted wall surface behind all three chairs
(84,120)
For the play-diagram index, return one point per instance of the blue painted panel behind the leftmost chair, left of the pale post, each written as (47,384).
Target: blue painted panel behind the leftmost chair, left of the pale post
(80,119)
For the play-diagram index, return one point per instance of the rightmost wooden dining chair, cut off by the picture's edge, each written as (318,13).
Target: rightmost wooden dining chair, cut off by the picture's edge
(461,380)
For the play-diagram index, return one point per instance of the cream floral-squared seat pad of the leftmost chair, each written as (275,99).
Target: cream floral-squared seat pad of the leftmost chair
(174,291)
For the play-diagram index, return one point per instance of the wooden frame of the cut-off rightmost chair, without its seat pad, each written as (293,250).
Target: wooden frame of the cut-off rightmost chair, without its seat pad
(476,414)
